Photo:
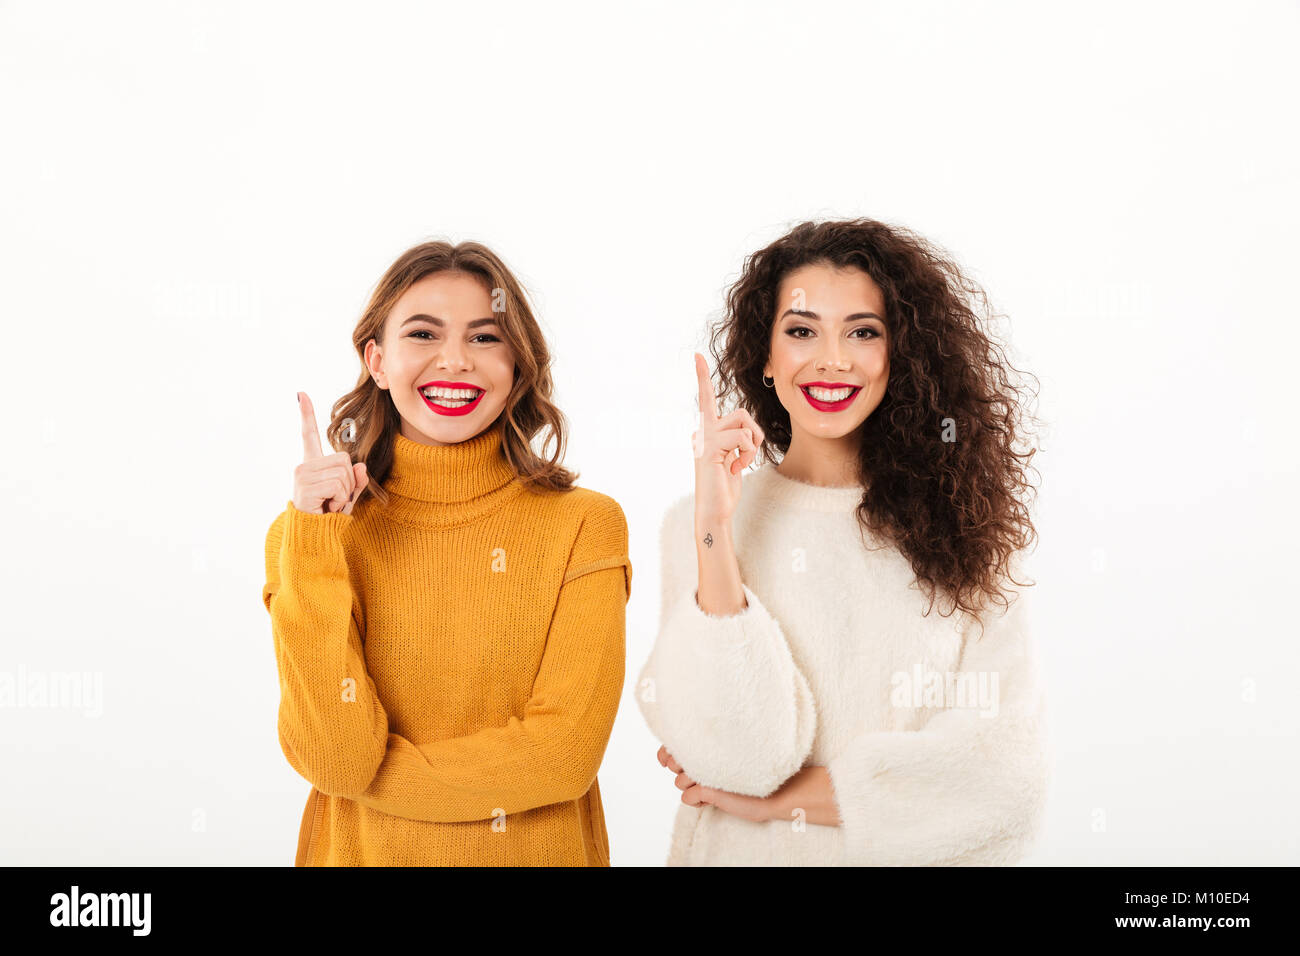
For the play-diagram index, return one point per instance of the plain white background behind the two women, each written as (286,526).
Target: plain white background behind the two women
(198,200)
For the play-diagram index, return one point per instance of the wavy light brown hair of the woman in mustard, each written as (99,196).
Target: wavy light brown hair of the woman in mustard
(365,422)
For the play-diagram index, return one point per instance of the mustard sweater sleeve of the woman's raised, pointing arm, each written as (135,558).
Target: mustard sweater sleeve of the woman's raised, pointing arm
(332,725)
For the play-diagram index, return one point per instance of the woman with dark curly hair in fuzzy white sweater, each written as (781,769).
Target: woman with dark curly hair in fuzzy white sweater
(813,706)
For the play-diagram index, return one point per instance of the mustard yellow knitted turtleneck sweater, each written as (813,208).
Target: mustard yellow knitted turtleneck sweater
(450,665)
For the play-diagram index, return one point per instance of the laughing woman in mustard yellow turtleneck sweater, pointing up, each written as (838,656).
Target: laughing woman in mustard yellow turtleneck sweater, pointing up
(448,608)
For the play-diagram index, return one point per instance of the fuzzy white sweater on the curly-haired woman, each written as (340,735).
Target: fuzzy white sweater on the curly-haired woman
(833,664)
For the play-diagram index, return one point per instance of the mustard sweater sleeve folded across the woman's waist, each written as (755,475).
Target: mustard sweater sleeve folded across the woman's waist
(553,751)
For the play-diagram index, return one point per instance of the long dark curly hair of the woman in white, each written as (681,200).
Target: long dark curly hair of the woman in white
(955,509)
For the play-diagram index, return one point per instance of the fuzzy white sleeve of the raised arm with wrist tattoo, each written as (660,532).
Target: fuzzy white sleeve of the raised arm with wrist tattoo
(723,694)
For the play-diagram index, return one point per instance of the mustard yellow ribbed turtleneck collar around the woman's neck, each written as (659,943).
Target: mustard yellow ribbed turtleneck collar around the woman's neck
(447,474)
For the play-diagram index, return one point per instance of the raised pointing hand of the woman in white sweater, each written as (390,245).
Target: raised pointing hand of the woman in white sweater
(717,473)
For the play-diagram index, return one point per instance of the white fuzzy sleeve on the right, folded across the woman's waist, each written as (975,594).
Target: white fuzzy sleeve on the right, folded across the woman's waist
(969,788)
